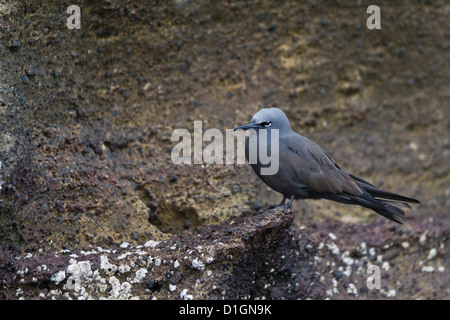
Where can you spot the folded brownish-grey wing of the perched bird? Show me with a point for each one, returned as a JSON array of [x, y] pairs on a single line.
[[314, 168]]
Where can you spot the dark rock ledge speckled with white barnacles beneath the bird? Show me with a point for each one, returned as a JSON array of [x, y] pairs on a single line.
[[253, 256]]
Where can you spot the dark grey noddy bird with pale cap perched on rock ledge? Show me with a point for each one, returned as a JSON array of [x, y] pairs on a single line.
[[306, 171]]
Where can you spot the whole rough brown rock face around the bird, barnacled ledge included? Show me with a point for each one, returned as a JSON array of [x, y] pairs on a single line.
[[87, 181]]
